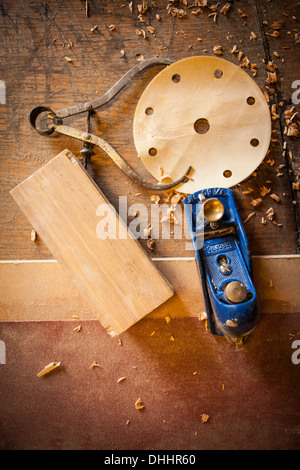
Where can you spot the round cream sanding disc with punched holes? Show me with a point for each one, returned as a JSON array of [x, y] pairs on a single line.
[[205, 112]]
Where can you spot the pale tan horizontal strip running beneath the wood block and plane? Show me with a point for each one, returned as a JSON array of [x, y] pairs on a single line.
[[41, 291]]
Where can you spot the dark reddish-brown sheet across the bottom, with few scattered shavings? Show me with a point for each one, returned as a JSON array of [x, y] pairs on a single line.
[[251, 395]]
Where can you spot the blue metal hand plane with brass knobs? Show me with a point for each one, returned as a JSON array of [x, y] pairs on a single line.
[[224, 263]]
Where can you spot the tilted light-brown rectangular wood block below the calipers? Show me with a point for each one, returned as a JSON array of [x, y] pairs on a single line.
[[118, 280]]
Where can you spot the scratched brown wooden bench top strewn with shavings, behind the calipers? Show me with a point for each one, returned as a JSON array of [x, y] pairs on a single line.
[[35, 38]]
